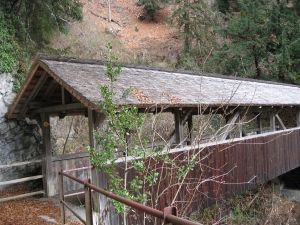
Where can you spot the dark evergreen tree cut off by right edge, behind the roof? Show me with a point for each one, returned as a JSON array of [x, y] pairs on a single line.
[[284, 45]]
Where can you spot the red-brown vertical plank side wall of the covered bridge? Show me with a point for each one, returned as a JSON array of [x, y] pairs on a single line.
[[261, 157]]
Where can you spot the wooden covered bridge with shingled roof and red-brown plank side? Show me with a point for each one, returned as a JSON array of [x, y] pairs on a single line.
[[259, 140]]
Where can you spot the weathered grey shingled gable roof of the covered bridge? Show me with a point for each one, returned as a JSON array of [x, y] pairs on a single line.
[[80, 80]]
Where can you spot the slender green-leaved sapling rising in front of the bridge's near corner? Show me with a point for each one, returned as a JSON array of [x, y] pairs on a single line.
[[112, 138]]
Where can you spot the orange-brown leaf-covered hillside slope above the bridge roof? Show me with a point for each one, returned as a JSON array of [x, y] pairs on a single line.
[[135, 40]]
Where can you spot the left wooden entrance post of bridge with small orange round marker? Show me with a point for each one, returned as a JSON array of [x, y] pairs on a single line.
[[47, 156]]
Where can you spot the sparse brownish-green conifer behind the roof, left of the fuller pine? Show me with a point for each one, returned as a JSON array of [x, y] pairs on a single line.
[[195, 21]]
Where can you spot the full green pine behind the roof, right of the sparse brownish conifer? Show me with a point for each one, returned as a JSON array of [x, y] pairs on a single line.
[[244, 47]]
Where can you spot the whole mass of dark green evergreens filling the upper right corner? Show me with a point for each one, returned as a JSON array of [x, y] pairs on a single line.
[[260, 40]]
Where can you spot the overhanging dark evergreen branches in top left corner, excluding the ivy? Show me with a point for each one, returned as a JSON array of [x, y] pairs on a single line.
[[36, 21]]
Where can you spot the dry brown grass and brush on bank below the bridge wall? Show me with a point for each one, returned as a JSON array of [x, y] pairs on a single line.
[[259, 206]]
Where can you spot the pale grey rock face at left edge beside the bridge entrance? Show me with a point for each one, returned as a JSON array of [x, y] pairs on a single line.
[[19, 140]]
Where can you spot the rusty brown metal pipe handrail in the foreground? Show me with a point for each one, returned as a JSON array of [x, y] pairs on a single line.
[[168, 215]]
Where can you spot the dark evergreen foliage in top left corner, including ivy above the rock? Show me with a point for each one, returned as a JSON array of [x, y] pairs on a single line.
[[32, 23]]
